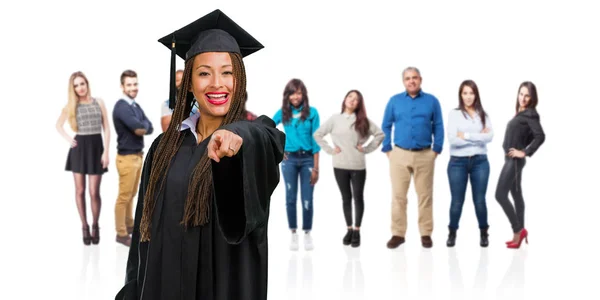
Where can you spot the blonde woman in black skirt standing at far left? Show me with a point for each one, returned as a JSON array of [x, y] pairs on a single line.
[[88, 155]]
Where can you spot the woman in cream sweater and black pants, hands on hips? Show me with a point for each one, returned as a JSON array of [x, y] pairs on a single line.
[[350, 130]]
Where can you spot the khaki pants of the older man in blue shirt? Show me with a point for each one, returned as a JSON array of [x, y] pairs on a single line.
[[404, 164]]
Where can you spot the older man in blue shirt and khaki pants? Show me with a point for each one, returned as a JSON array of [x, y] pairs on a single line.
[[418, 139]]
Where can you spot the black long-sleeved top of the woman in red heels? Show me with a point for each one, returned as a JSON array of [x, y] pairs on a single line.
[[524, 132]]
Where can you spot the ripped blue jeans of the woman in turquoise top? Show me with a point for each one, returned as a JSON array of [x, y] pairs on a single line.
[[298, 164]]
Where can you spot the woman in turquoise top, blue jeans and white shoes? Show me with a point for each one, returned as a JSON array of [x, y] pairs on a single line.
[[300, 121]]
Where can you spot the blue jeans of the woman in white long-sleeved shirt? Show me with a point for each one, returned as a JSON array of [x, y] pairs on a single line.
[[460, 170]]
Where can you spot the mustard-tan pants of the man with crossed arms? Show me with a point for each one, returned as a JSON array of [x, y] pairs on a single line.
[[130, 168]]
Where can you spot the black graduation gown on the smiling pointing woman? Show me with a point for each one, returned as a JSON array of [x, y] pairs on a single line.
[[225, 259]]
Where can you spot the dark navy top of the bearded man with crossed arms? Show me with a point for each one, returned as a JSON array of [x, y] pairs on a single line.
[[126, 119]]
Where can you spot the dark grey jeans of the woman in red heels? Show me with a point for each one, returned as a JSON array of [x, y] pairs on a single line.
[[510, 181]]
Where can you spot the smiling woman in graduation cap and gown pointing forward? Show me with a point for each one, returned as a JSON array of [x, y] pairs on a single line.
[[201, 221]]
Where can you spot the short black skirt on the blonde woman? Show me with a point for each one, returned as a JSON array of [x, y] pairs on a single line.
[[86, 157]]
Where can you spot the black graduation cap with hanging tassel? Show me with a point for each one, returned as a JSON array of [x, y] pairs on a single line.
[[214, 32]]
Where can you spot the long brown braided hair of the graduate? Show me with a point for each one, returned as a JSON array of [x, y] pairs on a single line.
[[197, 204]]
